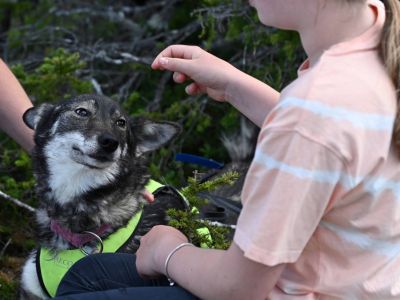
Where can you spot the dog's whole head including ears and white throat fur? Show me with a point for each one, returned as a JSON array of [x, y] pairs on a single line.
[[90, 140]]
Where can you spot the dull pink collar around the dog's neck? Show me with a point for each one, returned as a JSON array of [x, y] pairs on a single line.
[[77, 239]]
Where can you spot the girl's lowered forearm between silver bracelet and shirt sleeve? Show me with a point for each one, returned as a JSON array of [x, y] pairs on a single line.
[[213, 274]]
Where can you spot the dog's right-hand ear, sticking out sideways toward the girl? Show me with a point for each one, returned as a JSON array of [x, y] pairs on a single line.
[[152, 135]]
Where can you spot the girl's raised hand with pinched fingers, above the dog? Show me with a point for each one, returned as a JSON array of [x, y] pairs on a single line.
[[210, 74]]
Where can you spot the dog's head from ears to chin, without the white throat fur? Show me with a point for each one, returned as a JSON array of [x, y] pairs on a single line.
[[95, 130]]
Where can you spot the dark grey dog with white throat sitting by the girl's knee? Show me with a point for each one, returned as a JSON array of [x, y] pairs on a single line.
[[91, 170]]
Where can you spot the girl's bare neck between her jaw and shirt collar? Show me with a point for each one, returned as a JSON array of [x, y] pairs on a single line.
[[335, 23]]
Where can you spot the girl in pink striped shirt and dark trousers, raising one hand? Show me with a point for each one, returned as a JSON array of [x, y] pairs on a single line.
[[321, 210]]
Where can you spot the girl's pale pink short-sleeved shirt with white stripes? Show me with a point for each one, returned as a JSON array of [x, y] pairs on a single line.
[[323, 191]]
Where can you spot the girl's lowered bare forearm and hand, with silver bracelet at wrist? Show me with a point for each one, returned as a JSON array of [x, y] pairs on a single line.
[[207, 273]]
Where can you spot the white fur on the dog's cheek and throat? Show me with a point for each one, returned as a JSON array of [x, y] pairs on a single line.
[[73, 172]]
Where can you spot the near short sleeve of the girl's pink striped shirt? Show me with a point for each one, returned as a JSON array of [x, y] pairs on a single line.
[[290, 185]]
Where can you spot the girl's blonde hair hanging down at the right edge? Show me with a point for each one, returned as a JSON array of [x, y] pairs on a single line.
[[390, 52]]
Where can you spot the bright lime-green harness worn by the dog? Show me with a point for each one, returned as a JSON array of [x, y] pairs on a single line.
[[51, 267]]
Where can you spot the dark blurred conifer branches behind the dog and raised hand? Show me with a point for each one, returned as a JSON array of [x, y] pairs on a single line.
[[59, 48]]
